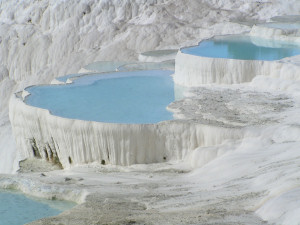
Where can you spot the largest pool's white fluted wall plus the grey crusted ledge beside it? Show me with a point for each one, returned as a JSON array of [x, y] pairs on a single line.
[[208, 118]]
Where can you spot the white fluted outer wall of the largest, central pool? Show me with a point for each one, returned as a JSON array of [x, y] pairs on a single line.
[[72, 142]]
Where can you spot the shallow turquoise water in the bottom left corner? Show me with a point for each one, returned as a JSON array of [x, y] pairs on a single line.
[[17, 209]]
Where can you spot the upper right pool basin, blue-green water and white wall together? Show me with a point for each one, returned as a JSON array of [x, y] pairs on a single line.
[[233, 59]]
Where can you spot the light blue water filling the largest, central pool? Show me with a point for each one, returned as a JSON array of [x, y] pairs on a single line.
[[122, 97]]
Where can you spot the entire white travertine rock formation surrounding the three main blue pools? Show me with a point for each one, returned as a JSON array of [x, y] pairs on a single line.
[[229, 156]]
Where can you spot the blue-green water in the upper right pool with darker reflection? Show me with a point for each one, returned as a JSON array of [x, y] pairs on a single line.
[[245, 48]]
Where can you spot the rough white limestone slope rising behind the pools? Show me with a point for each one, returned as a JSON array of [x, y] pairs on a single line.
[[41, 40]]
